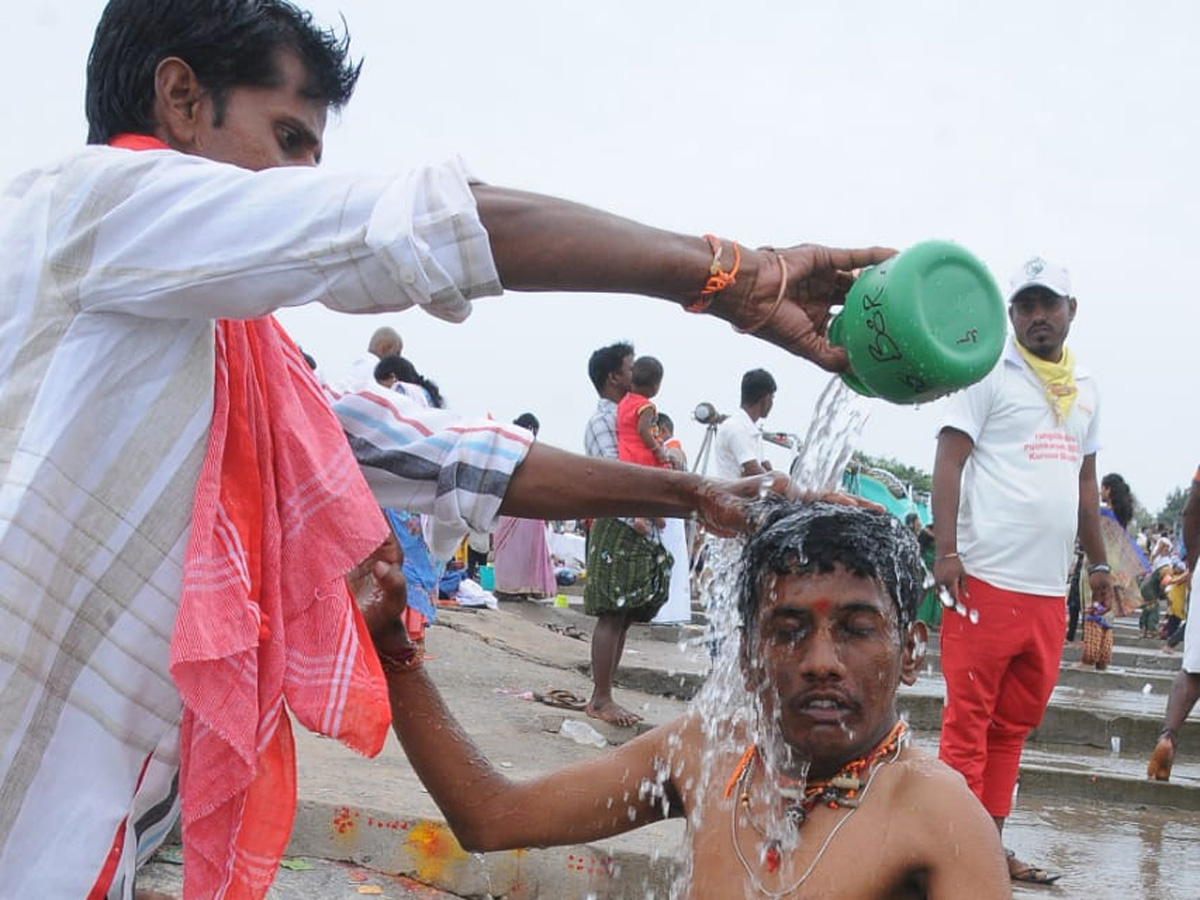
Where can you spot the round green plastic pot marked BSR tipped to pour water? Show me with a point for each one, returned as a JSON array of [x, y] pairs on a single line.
[[921, 326]]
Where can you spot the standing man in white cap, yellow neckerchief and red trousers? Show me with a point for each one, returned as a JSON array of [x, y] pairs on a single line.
[[1015, 481]]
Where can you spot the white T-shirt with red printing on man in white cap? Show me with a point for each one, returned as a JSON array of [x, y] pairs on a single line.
[[1019, 506]]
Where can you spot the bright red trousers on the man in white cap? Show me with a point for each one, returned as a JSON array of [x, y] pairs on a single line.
[[999, 673]]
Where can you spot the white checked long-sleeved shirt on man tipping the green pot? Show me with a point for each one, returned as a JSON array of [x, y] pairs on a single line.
[[113, 267]]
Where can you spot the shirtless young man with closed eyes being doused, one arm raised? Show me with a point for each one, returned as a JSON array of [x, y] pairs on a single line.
[[817, 793]]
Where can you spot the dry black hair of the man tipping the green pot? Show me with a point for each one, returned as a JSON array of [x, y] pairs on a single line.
[[229, 44]]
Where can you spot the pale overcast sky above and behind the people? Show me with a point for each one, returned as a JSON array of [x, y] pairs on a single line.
[[1066, 130]]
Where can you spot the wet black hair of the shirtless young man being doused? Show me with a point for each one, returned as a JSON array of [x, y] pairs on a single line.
[[794, 538]]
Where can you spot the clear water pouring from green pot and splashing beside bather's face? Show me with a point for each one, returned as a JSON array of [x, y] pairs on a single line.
[[724, 705]]
